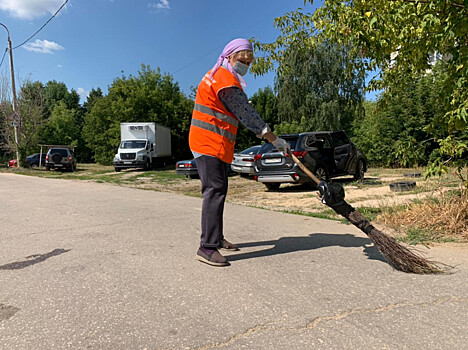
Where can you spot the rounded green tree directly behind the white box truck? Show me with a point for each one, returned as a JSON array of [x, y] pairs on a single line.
[[147, 97]]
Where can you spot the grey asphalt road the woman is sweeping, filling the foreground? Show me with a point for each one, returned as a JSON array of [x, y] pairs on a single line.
[[94, 266]]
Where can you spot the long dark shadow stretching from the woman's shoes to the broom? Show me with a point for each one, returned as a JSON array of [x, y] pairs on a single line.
[[313, 241]]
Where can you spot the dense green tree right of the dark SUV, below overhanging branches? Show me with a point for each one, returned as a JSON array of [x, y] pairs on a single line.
[[394, 130]]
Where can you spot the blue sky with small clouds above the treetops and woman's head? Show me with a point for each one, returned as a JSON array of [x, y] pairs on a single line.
[[91, 42]]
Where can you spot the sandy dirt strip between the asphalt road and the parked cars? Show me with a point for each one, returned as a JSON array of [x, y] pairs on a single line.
[[374, 192]]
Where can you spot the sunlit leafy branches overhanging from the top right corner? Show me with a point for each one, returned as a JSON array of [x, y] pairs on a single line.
[[394, 38]]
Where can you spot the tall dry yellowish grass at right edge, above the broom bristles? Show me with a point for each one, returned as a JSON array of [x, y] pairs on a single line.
[[445, 215]]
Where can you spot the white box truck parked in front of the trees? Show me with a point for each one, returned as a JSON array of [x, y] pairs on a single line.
[[143, 145]]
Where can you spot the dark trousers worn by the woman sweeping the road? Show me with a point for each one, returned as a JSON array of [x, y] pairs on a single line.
[[214, 178]]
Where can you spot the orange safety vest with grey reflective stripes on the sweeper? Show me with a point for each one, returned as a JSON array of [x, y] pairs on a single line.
[[213, 129]]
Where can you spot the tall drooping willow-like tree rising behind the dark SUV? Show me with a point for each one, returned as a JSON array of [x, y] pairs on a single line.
[[314, 89]]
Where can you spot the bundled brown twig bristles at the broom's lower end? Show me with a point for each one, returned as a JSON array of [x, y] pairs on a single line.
[[398, 256]]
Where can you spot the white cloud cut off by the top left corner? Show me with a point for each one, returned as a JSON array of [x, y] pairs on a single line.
[[29, 9]]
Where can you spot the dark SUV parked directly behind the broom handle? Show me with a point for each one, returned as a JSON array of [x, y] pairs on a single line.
[[326, 154]]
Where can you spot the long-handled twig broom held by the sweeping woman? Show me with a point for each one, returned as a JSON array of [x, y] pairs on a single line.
[[398, 256]]
